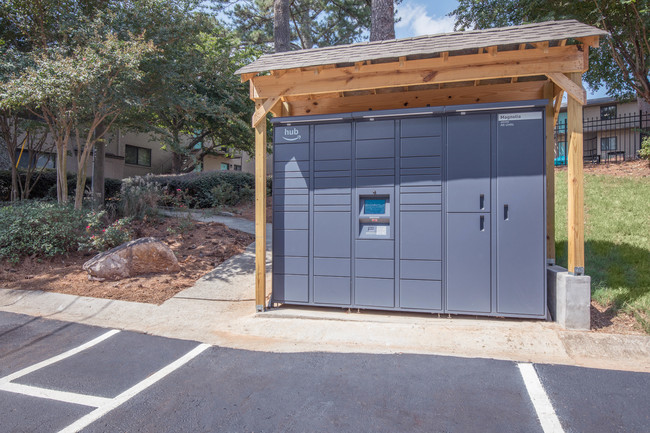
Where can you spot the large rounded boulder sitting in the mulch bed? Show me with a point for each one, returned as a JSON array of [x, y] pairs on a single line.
[[141, 256]]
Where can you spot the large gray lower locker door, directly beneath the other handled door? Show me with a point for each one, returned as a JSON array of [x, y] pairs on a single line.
[[468, 262]]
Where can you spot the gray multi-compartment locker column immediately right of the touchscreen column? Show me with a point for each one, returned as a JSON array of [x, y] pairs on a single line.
[[420, 216]]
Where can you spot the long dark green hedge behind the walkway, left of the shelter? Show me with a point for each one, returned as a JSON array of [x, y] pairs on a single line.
[[204, 189]]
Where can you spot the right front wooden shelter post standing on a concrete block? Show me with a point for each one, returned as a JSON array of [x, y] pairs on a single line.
[[575, 204]]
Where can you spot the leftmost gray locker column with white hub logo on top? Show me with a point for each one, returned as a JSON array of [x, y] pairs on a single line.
[[291, 177]]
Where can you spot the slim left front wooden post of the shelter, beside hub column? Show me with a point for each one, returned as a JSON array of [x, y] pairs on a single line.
[[260, 215]]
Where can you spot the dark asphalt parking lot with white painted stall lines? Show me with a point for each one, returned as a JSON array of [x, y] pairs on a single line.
[[58, 376]]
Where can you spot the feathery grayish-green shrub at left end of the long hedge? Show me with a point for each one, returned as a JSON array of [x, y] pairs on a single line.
[[139, 197]]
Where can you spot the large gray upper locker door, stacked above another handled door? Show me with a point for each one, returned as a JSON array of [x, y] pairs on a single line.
[[468, 163]]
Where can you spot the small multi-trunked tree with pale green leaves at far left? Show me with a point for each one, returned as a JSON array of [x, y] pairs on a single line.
[[74, 86]]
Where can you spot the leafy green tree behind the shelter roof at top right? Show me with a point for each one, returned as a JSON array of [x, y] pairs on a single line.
[[622, 63]]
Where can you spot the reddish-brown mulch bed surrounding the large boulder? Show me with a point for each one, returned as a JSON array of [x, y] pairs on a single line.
[[199, 247]]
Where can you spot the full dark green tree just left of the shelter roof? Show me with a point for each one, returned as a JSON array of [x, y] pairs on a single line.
[[194, 102]]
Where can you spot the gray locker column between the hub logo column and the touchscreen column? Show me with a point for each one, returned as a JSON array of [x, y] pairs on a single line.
[[332, 213]]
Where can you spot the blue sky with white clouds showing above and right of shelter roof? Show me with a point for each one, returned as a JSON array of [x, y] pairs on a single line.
[[426, 17]]
